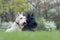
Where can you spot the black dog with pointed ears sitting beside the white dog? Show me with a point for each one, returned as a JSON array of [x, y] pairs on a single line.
[[31, 23]]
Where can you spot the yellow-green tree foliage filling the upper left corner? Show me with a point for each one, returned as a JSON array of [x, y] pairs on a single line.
[[18, 5]]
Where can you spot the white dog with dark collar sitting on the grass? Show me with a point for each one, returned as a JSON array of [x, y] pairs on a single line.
[[18, 23]]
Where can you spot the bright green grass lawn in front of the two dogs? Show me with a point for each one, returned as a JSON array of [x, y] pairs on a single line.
[[25, 35]]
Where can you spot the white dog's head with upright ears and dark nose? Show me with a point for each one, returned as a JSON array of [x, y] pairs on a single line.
[[21, 18]]
